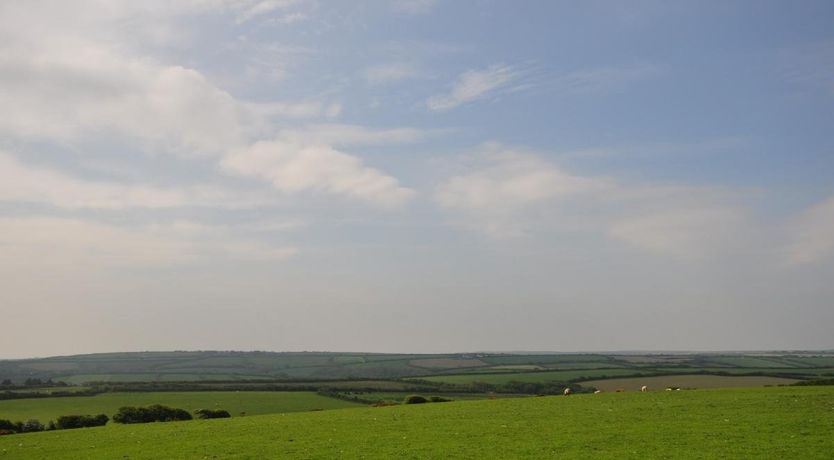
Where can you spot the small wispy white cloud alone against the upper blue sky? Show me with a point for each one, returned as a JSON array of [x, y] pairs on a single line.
[[473, 85]]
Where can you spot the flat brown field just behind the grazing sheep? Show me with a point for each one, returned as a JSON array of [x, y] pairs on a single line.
[[686, 381]]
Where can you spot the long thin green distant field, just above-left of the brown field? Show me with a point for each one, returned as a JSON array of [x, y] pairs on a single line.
[[537, 377]]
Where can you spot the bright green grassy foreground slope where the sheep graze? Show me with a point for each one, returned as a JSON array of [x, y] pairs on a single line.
[[760, 423]]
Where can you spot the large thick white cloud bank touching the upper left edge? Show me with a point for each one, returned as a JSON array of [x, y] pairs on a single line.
[[71, 91]]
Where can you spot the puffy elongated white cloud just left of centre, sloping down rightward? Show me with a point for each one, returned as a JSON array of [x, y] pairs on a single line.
[[293, 168]]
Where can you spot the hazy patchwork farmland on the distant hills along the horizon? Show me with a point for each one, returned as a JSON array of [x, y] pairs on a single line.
[[212, 366]]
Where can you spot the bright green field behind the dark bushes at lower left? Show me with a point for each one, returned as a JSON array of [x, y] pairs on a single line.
[[250, 402]]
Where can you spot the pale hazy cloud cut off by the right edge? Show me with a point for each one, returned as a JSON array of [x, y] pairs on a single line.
[[813, 234]]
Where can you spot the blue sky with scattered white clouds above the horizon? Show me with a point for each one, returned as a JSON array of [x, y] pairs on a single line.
[[416, 175]]
